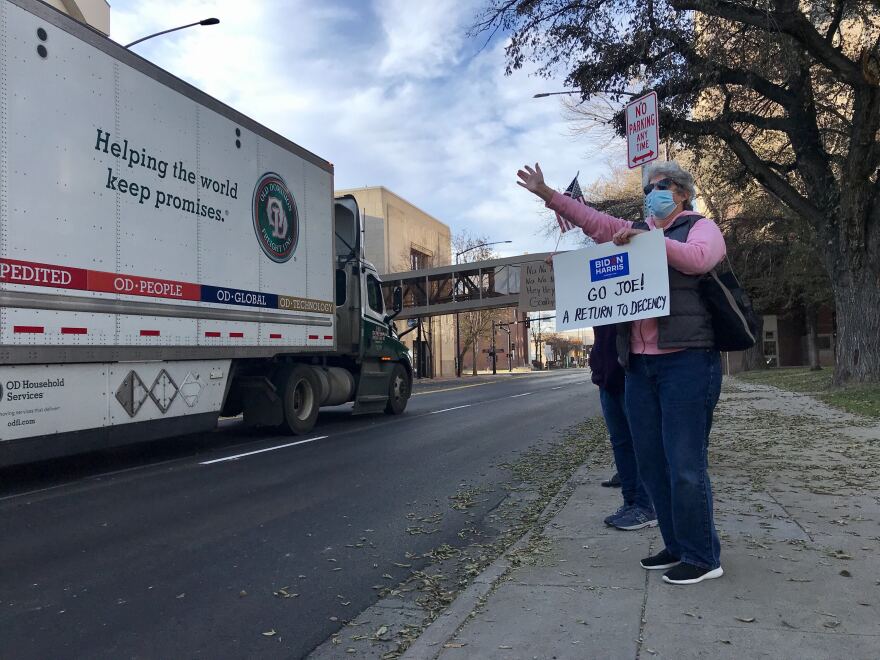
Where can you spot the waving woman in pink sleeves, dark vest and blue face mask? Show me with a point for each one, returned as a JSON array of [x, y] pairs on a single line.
[[673, 371]]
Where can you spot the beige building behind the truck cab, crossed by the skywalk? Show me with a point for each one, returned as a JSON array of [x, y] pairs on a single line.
[[399, 236]]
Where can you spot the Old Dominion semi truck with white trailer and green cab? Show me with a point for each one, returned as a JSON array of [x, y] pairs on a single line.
[[166, 260]]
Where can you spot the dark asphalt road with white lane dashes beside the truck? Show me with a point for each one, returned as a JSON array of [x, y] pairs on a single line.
[[175, 549]]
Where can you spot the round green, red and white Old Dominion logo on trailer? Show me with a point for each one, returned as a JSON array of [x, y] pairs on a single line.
[[276, 221]]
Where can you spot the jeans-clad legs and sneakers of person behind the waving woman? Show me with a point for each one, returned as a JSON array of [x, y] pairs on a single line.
[[637, 511]]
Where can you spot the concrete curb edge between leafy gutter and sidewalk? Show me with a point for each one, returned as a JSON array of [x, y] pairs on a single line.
[[429, 645]]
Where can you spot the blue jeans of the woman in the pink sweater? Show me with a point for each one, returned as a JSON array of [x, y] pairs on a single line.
[[670, 399]]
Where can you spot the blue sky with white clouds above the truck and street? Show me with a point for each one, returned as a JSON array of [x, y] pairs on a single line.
[[393, 93]]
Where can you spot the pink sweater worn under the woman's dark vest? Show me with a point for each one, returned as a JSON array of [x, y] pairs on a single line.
[[703, 251]]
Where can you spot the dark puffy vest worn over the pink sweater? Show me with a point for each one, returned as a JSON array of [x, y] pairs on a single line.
[[689, 324]]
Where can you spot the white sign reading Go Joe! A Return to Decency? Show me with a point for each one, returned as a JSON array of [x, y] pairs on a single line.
[[612, 283]]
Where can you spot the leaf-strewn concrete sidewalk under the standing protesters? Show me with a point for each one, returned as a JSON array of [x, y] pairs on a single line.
[[797, 499]]
